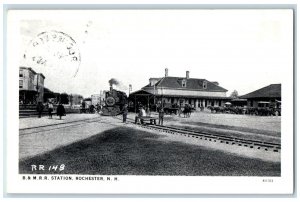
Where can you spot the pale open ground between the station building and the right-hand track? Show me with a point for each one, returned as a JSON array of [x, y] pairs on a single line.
[[242, 126]]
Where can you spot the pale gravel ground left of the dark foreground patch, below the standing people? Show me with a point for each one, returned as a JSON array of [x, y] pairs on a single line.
[[32, 142]]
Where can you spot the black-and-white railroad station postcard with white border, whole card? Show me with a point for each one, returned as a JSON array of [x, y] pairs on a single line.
[[150, 101]]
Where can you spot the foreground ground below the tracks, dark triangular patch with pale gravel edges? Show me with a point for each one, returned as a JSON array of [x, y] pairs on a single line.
[[104, 145]]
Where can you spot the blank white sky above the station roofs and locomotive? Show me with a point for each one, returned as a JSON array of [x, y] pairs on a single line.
[[243, 50]]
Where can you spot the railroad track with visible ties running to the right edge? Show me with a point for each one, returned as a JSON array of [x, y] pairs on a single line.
[[224, 139]]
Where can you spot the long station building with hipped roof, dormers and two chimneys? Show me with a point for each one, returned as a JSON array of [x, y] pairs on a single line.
[[178, 91]]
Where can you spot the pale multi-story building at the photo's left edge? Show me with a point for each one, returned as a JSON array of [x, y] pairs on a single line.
[[31, 86]]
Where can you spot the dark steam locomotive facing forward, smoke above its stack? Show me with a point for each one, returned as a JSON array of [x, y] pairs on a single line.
[[114, 102]]
